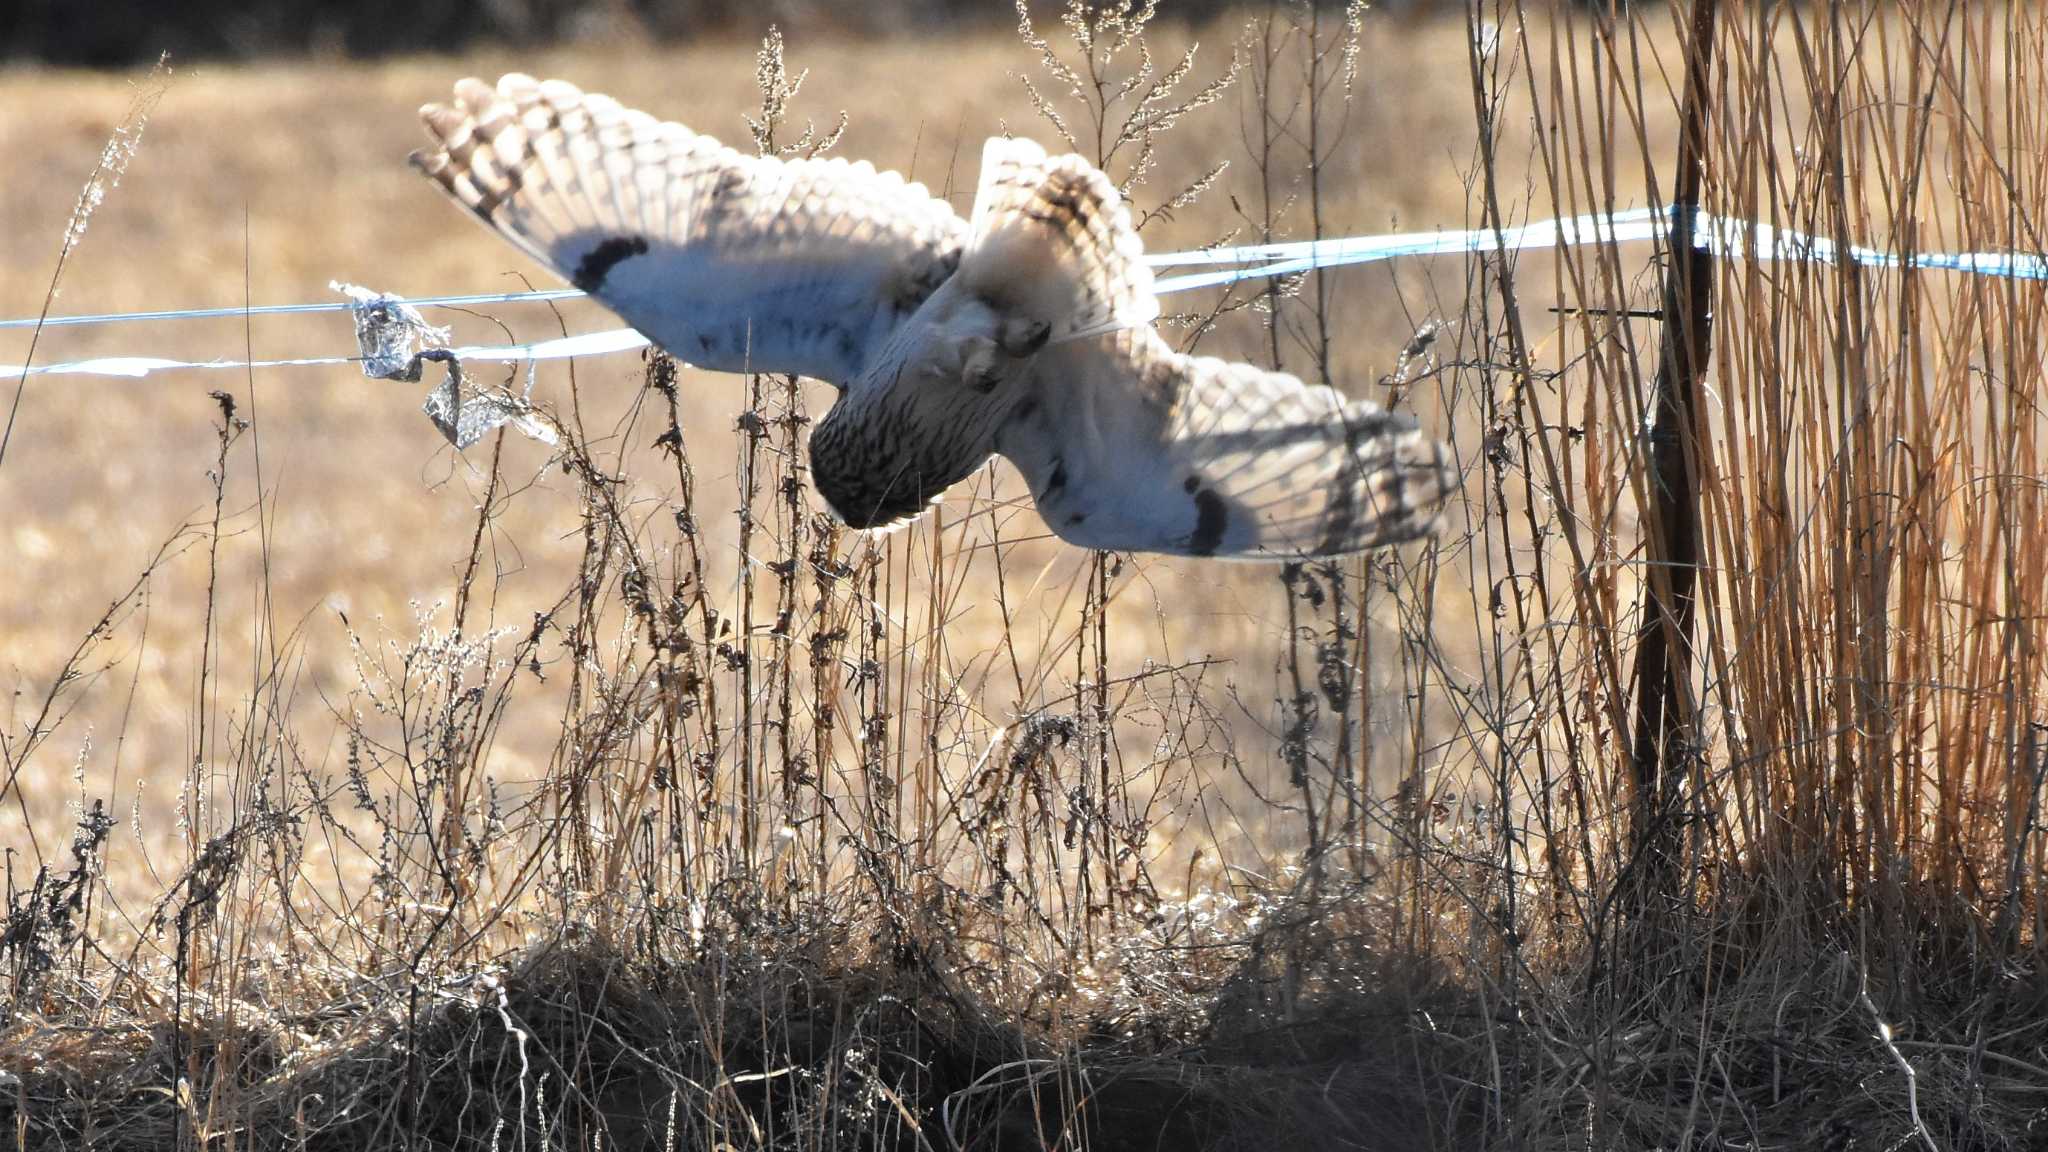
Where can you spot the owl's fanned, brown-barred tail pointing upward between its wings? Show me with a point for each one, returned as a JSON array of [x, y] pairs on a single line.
[[1054, 243]]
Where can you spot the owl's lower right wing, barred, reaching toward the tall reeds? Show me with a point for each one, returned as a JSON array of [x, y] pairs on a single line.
[[1134, 446]]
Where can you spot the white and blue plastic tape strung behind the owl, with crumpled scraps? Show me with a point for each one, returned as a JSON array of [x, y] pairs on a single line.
[[396, 341]]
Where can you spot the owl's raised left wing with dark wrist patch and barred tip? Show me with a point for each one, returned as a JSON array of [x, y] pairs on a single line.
[[730, 261]]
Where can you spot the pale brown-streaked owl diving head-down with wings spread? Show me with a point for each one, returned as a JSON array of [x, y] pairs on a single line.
[[1023, 331]]
